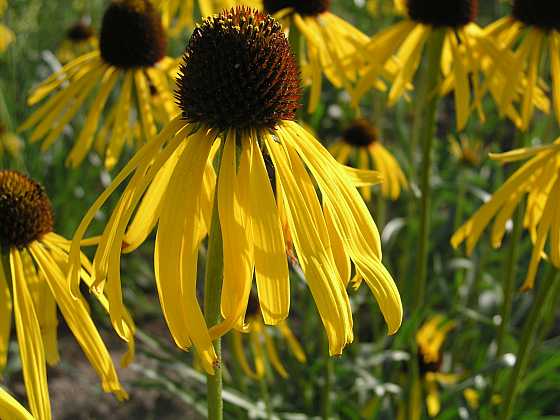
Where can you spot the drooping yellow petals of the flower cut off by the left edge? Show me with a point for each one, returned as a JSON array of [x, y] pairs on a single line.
[[38, 287]]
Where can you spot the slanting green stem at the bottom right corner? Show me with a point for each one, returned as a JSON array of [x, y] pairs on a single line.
[[527, 339]]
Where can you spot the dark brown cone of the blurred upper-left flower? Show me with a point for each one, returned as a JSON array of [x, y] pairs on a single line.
[[132, 34]]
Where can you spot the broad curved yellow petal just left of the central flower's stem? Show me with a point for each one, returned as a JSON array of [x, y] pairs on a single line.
[[177, 246]]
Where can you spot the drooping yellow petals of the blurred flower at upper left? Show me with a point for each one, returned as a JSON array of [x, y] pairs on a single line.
[[145, 92]]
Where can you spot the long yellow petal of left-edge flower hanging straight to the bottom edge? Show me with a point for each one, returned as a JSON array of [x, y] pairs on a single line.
[[30, 343]]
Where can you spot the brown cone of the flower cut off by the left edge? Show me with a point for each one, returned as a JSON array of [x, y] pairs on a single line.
[[25, 210]]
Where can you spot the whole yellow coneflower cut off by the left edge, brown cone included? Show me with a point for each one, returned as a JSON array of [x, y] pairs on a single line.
[[33, 285]]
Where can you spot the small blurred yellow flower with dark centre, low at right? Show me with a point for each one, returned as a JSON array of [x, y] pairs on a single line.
[[430, 338]]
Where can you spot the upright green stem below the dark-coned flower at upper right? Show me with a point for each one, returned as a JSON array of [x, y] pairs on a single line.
[[425, 123]]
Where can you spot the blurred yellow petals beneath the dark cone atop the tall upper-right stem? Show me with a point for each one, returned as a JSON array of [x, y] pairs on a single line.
[[395, 54]]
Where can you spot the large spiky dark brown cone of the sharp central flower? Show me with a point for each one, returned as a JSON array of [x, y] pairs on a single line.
[[238, 72]]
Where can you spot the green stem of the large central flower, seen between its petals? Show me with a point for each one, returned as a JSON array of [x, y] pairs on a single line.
[[212, 293]]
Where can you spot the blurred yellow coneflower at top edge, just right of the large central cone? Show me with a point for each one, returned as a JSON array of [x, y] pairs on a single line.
[[329, 41]]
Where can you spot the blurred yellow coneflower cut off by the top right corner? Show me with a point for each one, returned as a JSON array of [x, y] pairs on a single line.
[[531, 30]]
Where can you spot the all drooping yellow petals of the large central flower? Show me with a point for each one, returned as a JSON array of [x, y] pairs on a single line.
[[171, 187]]
